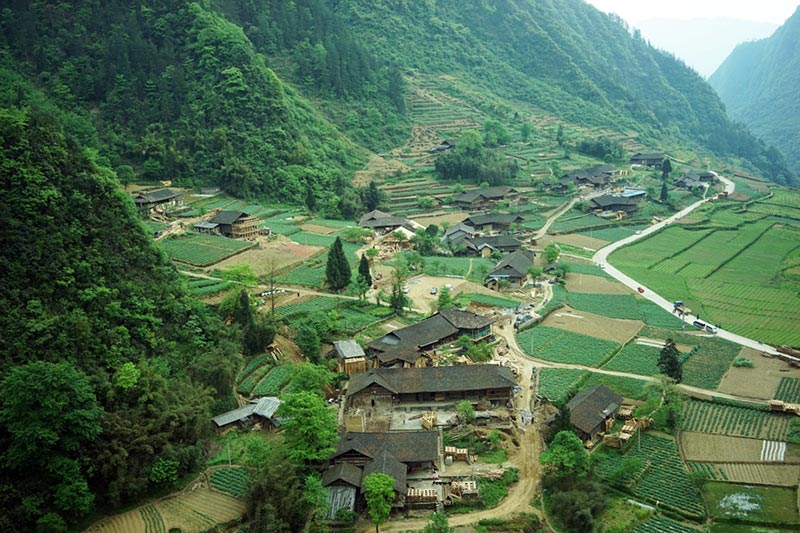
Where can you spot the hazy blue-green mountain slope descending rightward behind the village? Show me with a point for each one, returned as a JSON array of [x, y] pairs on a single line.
[[565, 57]]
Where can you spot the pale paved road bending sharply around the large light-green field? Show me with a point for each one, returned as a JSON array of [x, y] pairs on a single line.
[[601, 256]]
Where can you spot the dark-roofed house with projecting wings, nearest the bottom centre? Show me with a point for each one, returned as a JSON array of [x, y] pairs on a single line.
[[395, 454]]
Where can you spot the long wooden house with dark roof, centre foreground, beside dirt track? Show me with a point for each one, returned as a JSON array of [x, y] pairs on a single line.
[[388, 387]]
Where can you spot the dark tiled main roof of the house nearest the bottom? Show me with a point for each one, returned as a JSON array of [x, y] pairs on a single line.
[[406, 447]]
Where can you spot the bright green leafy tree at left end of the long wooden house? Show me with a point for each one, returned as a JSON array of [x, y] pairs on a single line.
[[309, 427]]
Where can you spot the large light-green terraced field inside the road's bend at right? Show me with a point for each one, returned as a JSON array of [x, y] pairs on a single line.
[[733, 268]]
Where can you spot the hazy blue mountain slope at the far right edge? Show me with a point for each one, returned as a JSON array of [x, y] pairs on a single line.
[[758, 83]]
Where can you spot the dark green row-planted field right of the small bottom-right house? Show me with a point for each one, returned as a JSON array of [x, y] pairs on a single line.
[[663, 477]]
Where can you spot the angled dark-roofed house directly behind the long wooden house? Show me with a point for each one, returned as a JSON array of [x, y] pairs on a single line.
[[411, 346]]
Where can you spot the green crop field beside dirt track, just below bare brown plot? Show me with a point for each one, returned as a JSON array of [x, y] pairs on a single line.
[[561, 346]]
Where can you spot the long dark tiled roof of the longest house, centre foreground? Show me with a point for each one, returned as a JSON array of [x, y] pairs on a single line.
[[434, 379]]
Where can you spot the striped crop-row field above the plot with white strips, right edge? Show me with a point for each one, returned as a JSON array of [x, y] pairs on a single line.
[[734, 421]]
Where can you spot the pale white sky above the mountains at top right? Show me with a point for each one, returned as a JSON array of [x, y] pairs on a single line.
[[775, 11]]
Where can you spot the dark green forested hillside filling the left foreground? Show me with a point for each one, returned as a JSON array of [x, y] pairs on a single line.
[[109, 368]]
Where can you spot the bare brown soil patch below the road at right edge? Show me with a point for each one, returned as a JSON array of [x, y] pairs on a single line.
[[759, 382]]
